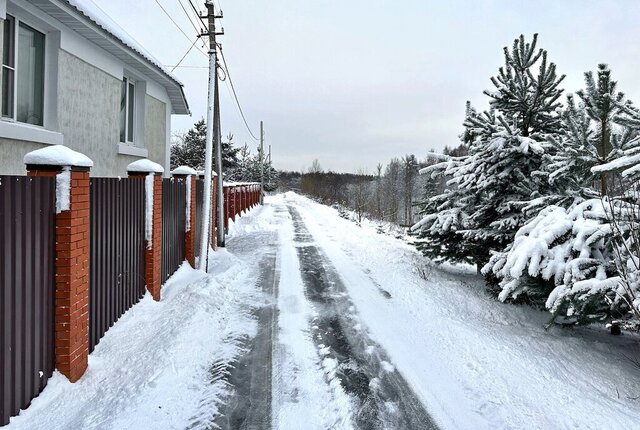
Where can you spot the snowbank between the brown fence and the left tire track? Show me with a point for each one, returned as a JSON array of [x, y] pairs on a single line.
[[153, 369]]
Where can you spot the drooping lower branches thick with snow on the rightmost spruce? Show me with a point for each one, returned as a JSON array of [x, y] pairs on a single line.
[[575, 251]]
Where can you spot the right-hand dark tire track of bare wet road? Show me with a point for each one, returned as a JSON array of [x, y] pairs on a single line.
[[383, 398]]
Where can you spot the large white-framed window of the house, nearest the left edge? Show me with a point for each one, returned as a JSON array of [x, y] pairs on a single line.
[[23, 73]]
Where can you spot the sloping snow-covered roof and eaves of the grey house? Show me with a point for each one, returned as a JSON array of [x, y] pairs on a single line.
[[88, 20]]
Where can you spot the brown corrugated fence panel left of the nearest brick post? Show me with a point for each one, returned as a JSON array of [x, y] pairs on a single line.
[[27, 288]]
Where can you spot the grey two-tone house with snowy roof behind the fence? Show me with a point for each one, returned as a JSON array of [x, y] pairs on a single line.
[[72, 76]]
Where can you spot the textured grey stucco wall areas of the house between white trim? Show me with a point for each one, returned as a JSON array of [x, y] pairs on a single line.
[[88, 117]]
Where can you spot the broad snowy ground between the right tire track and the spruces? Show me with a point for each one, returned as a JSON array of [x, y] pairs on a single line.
[[476, 363]]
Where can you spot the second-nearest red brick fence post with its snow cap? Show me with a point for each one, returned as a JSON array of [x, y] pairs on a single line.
[[152, 174]]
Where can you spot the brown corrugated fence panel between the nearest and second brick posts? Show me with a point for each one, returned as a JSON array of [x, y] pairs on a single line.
[[117, 251]]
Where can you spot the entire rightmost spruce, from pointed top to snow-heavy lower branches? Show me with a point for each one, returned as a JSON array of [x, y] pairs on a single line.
[[571, 244]]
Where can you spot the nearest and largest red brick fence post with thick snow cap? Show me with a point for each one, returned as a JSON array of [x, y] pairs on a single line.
[[71, 170]]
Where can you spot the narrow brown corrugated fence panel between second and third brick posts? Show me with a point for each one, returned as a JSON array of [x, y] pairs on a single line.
[[174, 197]]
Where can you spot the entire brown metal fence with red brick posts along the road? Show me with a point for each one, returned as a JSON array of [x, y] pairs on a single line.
[[41, 250]]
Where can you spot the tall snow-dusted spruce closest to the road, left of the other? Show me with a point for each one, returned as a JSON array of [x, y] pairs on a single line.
[[501, 183]]
